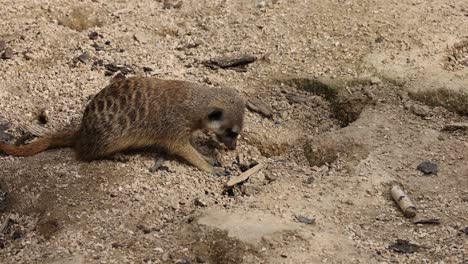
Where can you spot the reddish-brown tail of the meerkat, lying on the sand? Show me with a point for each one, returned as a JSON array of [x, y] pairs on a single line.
[[58, 140]]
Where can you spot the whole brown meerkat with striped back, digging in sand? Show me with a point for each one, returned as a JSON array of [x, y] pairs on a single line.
[[141, 111]]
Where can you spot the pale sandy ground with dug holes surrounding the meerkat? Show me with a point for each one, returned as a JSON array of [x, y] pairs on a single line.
[[360, 92]]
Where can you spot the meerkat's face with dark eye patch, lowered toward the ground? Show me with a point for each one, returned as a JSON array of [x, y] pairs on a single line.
[[226, 124]]
